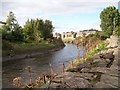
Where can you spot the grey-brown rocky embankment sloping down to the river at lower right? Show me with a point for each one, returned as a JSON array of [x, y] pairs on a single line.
[[100, 71]]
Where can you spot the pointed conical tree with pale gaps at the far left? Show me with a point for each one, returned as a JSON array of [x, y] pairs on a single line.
[[12, 31]]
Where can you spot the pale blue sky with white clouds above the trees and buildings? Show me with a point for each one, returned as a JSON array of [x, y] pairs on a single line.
[[66, 15]]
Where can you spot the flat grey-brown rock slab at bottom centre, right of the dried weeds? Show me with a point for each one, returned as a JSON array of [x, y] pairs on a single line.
[[75, 81]]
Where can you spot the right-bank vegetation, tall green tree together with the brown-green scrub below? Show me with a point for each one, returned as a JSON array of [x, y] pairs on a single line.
[[94, 43]]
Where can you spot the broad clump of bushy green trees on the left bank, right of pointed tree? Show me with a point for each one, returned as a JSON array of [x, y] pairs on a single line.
[[37, 29]]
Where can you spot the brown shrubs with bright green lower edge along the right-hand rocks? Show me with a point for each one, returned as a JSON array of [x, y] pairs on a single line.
[[92, 44]]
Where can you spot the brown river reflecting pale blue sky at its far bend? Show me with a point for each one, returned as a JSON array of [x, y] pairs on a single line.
[[39, 65]]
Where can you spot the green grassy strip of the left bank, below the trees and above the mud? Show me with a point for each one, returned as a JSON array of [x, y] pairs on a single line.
[[15, 48]]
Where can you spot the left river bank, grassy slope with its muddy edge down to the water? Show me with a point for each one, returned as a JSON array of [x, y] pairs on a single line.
[[30, 50]]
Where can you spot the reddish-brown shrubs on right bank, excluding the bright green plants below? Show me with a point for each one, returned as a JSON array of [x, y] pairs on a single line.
[[88, 43]]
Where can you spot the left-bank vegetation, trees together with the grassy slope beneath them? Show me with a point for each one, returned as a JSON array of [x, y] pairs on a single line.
[[36, 35]]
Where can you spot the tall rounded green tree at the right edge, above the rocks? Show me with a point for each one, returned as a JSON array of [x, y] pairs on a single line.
[[109, 20]]
